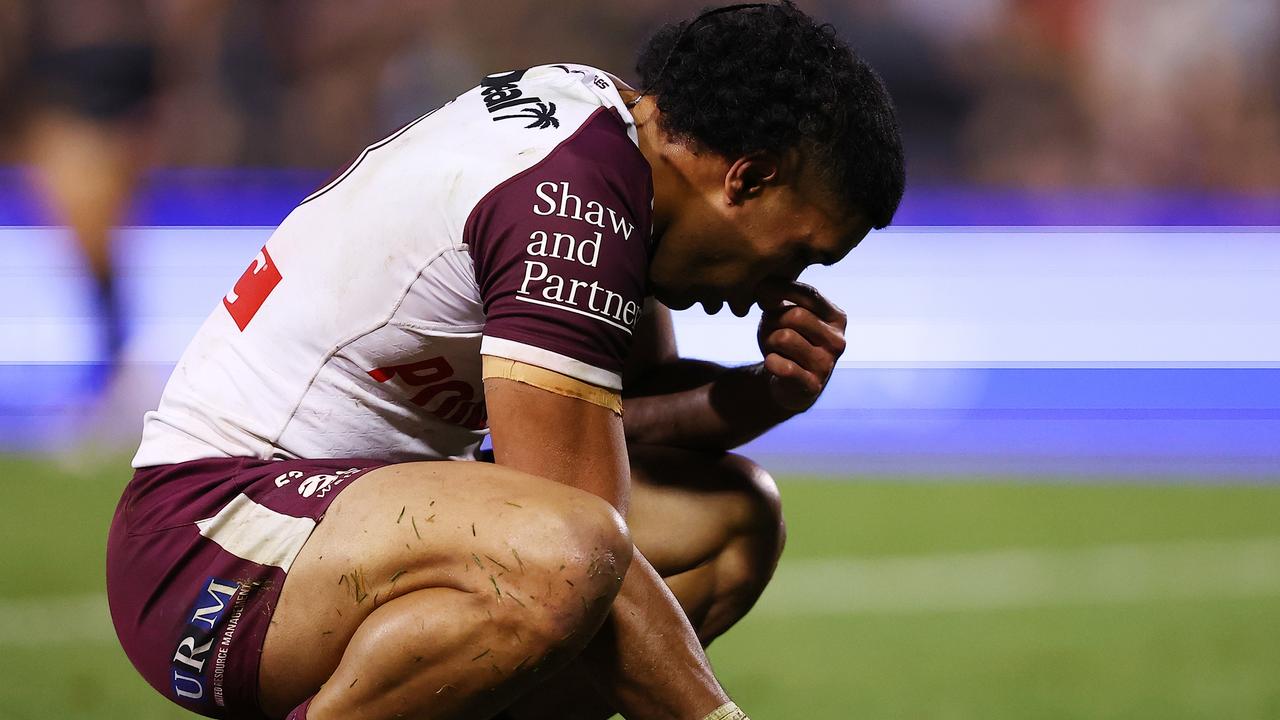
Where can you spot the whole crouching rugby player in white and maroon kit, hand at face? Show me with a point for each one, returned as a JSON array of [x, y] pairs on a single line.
[[308, 534]]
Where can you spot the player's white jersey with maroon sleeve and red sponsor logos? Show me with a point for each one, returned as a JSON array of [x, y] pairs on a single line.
[[515, 222]]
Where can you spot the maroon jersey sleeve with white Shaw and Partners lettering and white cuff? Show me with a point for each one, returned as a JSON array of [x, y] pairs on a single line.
[[561, 254]]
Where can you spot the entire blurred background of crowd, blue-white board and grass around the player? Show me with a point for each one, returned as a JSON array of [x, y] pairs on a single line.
[[1043, 482]]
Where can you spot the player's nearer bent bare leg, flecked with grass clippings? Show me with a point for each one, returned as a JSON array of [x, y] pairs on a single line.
[[441, 590]]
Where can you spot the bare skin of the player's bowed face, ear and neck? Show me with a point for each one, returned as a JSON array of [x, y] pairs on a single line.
[[730, 230]]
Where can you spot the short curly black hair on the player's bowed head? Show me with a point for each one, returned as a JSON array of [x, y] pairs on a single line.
[[753, 79]]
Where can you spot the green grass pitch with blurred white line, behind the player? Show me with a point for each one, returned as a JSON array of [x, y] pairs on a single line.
[[949, 601]]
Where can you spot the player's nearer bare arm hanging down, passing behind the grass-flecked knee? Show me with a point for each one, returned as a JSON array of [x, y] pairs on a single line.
[[648, 659]]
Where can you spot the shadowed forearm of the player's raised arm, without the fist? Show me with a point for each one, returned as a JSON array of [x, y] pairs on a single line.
[[701, 405]]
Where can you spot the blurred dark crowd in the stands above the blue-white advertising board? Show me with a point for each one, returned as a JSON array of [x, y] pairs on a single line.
[[1013, 93]]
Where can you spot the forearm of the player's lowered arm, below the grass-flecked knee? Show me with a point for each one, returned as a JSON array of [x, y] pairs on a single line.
[[647, 658]]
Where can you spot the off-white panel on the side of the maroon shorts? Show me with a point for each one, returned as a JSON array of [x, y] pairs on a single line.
[[258, 534]]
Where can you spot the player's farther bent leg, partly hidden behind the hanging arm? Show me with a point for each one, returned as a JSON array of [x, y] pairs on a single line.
[[712, 527]]
